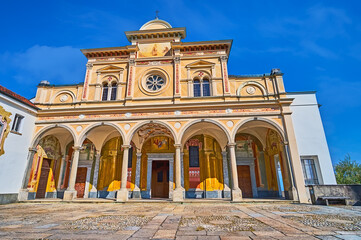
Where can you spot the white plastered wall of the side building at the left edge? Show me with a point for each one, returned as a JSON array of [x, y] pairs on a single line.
[[13, 161]]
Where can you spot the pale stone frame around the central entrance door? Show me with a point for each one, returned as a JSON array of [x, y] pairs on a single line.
[[160, 157]]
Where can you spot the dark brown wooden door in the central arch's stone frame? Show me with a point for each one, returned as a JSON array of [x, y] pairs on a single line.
[[160, 179]]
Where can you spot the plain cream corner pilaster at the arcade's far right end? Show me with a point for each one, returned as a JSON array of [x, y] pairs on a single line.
[[295, 160]]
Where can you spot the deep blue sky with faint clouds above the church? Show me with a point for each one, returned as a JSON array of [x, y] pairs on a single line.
[[317, 44]]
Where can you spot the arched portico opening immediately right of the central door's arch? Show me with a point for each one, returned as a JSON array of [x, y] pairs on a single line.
[[204, 161]]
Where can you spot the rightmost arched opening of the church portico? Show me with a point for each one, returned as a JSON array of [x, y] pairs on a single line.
[[262, 164]]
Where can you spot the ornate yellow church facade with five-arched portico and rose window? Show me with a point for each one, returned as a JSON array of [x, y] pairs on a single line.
[[162, 118]]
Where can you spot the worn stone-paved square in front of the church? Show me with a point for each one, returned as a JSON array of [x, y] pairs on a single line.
[[186, 221]]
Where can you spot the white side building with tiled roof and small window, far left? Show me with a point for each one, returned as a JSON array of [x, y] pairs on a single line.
[[17, 124]]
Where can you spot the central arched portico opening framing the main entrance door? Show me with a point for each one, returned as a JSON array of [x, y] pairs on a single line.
[[154, 156]]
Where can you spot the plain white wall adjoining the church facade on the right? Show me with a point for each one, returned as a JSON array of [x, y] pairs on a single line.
[[310, 135]]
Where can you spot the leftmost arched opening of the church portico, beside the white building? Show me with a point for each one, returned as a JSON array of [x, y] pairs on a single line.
[[45, 174]]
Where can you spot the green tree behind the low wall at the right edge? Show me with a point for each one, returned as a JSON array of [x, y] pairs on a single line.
[[348, 171]]
